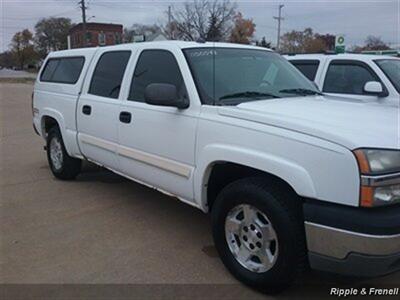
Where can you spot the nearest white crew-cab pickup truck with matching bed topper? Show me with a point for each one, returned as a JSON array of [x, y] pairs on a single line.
[[291, 177]]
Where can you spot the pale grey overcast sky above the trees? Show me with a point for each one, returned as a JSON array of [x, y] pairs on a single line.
[[355, 19]]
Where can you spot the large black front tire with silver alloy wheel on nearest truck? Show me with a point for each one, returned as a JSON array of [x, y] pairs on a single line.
[[259, 233]]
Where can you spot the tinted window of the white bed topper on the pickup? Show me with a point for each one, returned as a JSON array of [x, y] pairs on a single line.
[[63, 70]]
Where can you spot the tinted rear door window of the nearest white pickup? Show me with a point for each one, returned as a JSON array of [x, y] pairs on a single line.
[[108, 74]]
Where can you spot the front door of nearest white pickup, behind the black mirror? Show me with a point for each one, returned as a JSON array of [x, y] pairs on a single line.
[[157, 145]]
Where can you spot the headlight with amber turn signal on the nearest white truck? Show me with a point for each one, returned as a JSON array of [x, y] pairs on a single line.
[[380, 176]]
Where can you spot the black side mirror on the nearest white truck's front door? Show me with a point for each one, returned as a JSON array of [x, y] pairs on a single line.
[[164, 94]]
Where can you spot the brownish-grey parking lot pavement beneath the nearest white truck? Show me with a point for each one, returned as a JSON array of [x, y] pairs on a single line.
[[102, 228]]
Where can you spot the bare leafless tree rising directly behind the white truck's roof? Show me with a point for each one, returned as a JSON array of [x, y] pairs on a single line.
[[211, 20]]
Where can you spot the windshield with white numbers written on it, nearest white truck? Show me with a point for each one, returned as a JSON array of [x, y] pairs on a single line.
[[230, 76]]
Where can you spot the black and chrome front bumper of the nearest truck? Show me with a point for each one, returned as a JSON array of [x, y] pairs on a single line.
[[353, 241]]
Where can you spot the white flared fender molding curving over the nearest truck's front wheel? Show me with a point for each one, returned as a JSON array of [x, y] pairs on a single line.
[[297, 177]]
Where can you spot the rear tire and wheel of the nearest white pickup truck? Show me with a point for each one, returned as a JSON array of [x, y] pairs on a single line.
[[61, 164]]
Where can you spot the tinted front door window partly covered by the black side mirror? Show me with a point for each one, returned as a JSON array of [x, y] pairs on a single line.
[[155, 66]]
